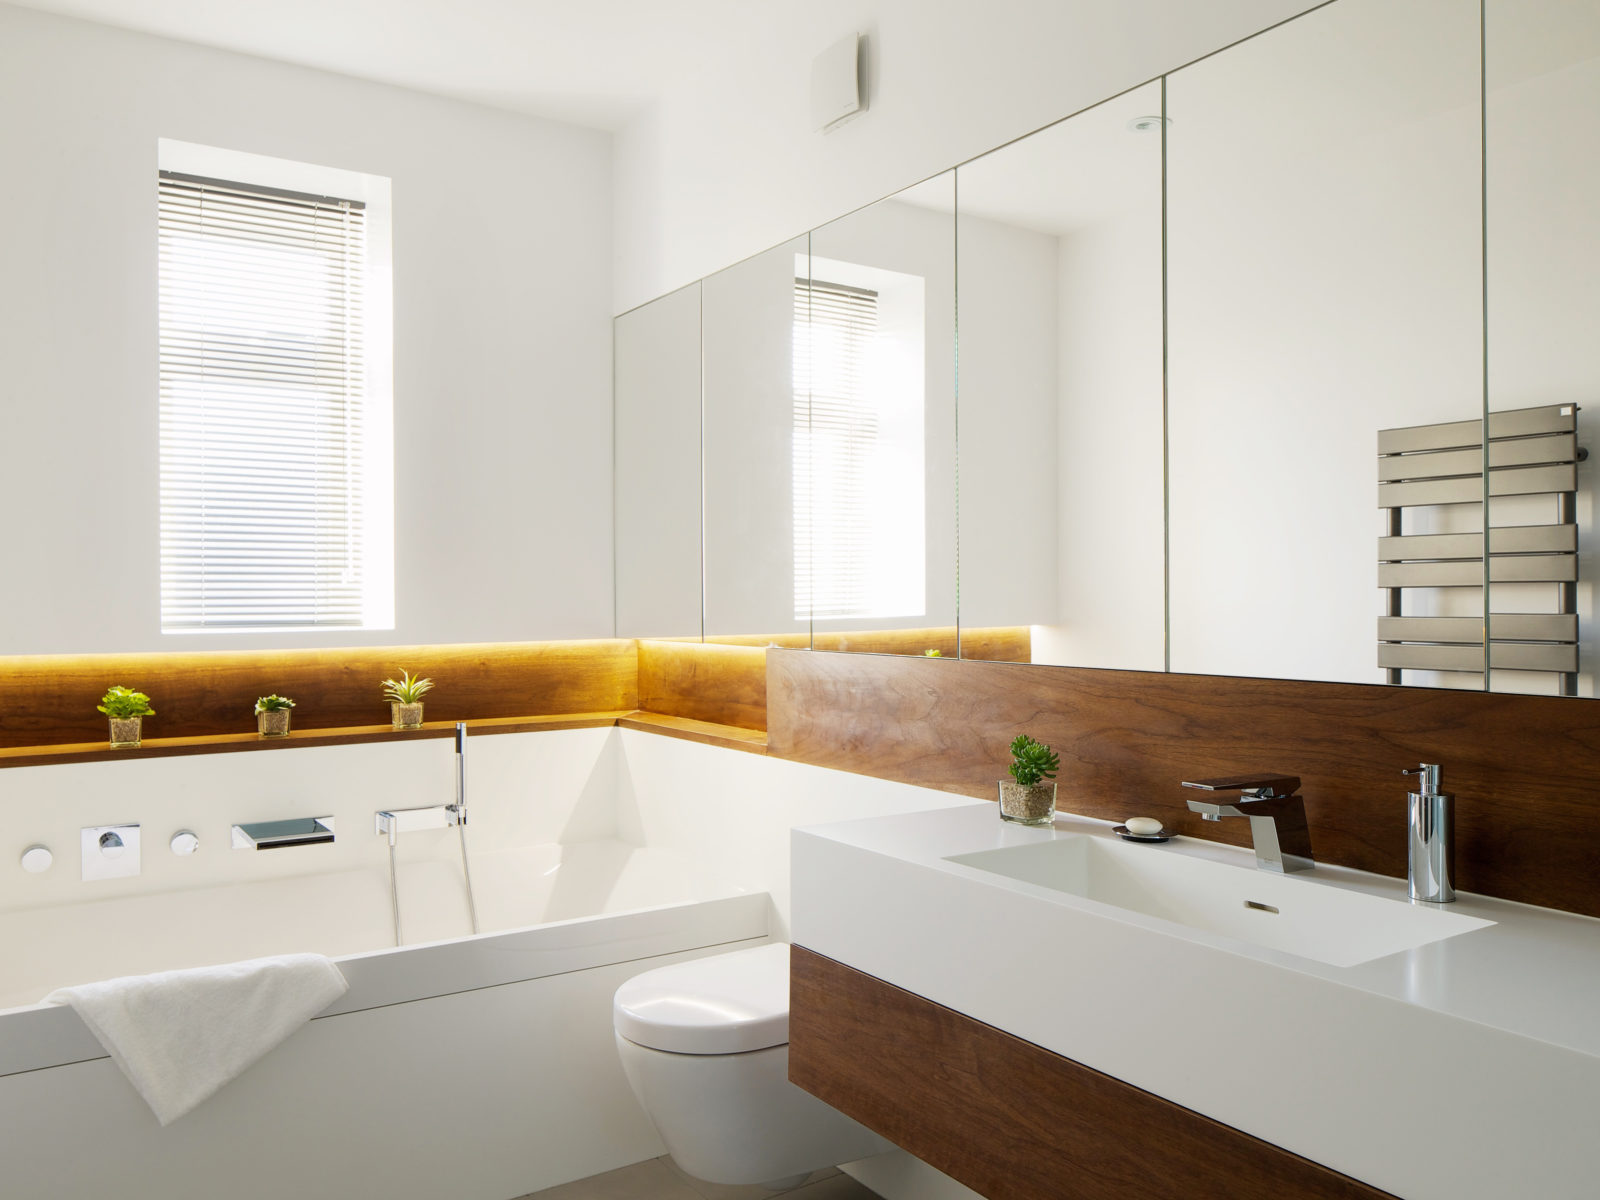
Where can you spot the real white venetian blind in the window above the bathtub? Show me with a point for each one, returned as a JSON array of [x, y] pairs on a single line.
[[262, 407]]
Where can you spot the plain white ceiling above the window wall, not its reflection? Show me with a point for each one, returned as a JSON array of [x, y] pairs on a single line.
[[586, 62]]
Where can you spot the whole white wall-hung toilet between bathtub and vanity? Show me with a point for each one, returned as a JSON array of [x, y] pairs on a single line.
[[706, 1049]]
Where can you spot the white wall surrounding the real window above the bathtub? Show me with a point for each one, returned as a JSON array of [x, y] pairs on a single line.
[[503, 377]]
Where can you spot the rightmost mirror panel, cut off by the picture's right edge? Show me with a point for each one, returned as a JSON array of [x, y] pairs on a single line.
[[1543, 174]]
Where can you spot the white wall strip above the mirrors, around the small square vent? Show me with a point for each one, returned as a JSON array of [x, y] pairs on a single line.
[[727, 164]]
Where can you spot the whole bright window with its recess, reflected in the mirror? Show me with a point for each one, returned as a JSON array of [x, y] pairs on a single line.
[[858, 442]]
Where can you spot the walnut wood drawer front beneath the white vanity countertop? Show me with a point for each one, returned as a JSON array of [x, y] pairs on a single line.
[[1010, 1119]]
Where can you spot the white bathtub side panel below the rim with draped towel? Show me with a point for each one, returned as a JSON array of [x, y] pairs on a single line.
[[478, 1097]]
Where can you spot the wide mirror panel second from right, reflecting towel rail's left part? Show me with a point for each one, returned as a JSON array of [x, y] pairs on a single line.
[[1324, 286]]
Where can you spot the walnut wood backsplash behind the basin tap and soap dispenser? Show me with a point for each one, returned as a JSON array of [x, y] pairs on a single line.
[[1526, 769]]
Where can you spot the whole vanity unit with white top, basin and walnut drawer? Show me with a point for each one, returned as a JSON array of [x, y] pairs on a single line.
[[1055, 1012]]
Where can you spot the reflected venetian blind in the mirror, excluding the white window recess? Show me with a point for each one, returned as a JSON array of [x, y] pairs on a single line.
[[836, 431]]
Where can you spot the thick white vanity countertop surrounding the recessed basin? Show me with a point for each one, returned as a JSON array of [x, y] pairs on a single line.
[[1463, 1068]]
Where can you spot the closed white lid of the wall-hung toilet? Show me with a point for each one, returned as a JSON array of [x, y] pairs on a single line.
[[726, 1004]]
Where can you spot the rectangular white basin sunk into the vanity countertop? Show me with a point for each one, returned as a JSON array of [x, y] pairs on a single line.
[[1279, 913]]
